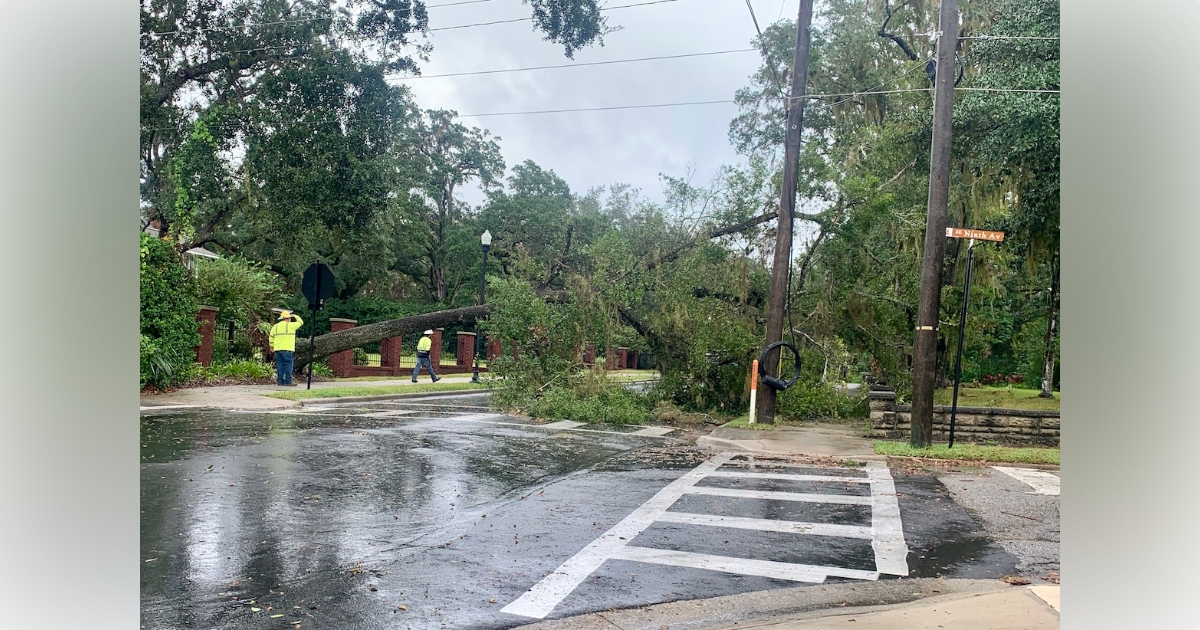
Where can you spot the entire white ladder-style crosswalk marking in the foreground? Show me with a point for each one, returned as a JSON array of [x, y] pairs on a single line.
[[886, 533]]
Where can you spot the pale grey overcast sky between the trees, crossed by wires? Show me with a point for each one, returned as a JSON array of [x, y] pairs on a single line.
[[602, 148]]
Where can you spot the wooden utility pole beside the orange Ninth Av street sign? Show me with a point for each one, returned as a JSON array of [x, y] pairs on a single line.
[[929, 304]]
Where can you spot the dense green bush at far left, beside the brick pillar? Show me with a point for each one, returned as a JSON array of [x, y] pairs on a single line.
[[169, 308]]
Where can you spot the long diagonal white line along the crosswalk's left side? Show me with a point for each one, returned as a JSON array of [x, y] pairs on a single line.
[[542, 599]]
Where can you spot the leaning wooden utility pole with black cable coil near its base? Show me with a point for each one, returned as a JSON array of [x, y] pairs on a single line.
[[783, 261]]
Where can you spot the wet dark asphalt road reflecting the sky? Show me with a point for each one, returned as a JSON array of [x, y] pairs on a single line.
[[437, 514]]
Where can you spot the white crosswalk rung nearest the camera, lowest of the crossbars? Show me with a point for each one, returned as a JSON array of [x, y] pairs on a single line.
[[779, 571]]
